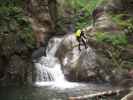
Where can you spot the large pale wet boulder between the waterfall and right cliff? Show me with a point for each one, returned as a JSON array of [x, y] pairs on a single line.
[[77, 65]]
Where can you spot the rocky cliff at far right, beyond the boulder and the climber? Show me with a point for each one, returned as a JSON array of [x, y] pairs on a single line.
[[108, 56]]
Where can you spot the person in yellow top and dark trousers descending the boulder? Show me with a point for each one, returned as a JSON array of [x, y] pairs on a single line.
[[81, 38]]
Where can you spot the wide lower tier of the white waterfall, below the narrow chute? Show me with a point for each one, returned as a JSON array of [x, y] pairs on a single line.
[[48, 69]]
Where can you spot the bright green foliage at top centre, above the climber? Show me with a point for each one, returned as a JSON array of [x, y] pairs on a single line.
[[84, 9]]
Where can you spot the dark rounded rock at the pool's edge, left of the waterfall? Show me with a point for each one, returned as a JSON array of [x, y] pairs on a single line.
[[18, 71]]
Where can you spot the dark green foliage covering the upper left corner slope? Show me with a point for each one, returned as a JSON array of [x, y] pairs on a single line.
[[13, 20]]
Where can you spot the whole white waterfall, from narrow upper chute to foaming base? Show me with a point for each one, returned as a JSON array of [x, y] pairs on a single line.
[[48, 69]]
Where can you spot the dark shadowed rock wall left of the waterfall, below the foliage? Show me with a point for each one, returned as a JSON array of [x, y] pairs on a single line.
[[15, 65]]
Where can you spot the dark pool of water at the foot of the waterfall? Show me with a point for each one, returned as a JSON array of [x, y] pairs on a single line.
[[50, 93]]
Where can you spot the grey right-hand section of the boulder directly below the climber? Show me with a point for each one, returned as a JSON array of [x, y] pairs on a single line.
[[86, 65]]
